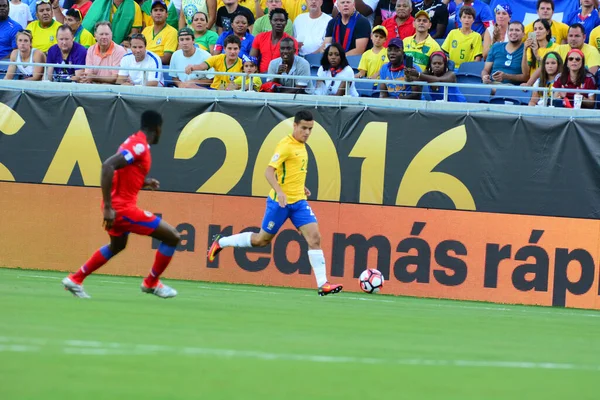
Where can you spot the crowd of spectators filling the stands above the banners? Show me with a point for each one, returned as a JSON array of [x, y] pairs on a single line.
[[430, 41]]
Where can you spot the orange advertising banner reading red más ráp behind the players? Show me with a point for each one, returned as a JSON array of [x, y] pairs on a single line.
[[462, 255]]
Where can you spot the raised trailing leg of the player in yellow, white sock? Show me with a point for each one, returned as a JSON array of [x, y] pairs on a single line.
[[274, 217]]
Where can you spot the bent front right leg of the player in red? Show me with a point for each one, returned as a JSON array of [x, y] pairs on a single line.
[[169, 239]]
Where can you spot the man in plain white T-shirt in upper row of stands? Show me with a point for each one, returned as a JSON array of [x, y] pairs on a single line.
[[310, 27]]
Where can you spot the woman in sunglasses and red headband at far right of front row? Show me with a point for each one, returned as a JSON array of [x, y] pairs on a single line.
[[574, 75]]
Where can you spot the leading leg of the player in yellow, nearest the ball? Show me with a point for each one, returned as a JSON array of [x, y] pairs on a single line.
[[304, 219]]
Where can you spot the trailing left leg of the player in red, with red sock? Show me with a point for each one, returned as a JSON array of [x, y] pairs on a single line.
[[74, 282]]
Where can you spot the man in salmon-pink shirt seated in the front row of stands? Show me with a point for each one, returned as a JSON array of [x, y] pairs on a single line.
[[105, 53]]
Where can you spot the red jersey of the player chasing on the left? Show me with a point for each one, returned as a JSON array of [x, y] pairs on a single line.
[[128, 181]]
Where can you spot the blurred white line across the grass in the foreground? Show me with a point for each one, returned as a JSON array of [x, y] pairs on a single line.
[[98, 348]]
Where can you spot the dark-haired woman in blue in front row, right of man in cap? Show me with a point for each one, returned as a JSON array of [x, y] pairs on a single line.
[[437, 71]]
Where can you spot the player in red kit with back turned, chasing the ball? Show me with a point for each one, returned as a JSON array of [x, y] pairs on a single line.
[[123, 176]]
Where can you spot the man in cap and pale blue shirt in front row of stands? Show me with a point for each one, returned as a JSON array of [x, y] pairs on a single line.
[[188, 54]]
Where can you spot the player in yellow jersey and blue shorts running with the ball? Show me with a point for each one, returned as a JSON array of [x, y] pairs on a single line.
[[286, 173]]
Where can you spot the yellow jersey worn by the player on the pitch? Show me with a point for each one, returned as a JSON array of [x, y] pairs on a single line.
[[290, 162]]
